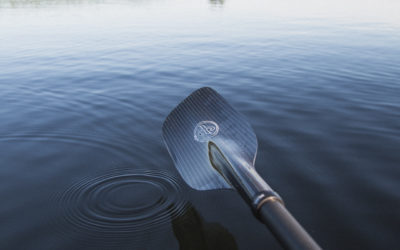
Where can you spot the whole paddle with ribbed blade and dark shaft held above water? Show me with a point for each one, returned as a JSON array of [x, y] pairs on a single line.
[[214, 147]]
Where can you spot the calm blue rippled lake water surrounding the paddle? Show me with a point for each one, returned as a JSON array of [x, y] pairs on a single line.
[[86, 85]]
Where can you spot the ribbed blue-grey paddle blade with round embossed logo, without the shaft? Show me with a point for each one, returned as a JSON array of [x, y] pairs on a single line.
[[202, 117]]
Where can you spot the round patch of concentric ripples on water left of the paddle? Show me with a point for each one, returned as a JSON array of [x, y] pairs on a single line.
[[121, 204]]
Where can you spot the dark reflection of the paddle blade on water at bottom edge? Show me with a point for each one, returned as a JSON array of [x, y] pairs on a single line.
[[193, 233]]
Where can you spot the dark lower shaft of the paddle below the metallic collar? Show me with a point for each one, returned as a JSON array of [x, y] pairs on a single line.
[[285, 227]]
